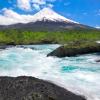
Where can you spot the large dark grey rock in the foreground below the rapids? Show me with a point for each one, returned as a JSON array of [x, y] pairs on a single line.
[[29, 88]]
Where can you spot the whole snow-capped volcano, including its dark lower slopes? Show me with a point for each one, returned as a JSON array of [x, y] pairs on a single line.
[[45, 19]]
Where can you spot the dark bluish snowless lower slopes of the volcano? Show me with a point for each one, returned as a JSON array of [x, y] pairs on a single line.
[[45, 26]]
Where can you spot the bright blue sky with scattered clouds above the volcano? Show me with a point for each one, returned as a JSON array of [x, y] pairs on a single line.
[[83, 11]]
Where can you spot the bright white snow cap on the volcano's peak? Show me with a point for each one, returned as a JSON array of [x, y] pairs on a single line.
[[50, 15]]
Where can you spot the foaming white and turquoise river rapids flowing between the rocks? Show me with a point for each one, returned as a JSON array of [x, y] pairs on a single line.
[[78, 74]]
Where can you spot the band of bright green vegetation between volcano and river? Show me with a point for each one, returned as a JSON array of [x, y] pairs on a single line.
[[13, 36]]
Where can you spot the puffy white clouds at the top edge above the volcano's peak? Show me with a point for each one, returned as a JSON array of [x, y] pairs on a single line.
[[28, 5]]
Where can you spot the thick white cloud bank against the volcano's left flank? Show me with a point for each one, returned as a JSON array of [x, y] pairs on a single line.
[[11, 17]]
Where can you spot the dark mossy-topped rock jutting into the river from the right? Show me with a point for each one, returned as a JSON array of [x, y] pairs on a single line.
[[76, 48]]
